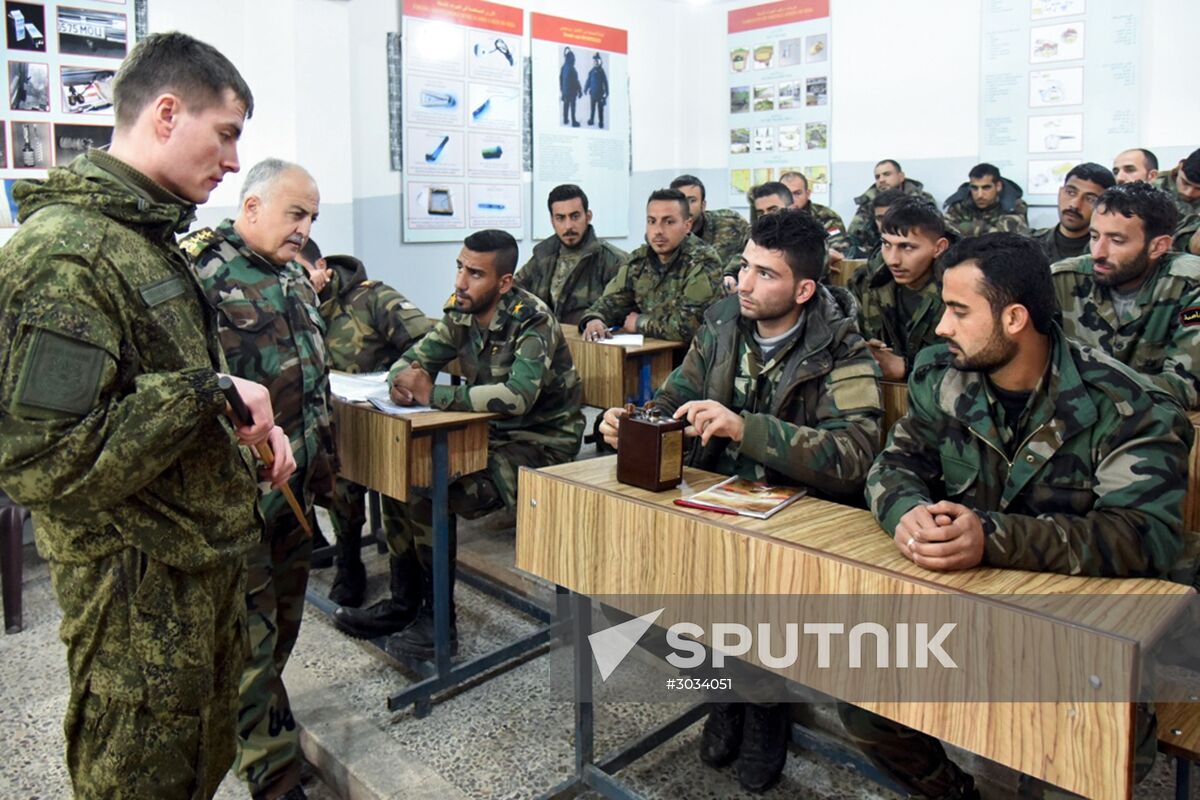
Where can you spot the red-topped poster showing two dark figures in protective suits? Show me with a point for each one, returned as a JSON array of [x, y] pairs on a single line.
[[581, 119]]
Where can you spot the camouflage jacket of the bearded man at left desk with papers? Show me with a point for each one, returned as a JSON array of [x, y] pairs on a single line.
[[520, 369]]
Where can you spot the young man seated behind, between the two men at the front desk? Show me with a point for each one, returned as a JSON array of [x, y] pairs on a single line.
[[901, 303]]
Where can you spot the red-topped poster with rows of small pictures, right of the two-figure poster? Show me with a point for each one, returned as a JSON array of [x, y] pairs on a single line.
[[779, 97]]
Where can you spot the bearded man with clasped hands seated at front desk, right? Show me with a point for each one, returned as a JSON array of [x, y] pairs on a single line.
[[1022, 450]]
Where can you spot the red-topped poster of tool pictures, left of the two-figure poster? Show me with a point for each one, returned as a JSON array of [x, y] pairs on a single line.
[[464, 107]]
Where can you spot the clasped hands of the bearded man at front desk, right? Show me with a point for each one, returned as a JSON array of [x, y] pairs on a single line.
[[943, 537]]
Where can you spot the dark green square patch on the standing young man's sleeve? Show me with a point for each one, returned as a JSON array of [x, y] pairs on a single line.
[[61, 375]]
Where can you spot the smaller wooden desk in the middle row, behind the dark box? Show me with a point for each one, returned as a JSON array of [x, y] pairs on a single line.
[[611, 374]]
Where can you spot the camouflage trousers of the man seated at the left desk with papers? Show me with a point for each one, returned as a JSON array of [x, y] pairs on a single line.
[[471, 497]]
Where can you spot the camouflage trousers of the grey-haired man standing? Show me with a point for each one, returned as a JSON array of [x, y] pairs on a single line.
[[278, 575]]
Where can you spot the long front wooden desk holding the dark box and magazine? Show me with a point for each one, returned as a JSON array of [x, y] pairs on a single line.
[[623, 540]]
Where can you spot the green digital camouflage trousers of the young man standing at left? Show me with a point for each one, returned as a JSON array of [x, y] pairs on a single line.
[[154, 657]]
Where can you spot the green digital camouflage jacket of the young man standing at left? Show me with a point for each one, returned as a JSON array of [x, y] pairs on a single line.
[[112, 425]]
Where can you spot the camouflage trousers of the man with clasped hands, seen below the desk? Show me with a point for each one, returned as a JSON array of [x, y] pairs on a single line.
[[920, 765]]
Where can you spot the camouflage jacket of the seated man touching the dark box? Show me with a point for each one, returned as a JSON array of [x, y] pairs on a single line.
[[812, 413]]
